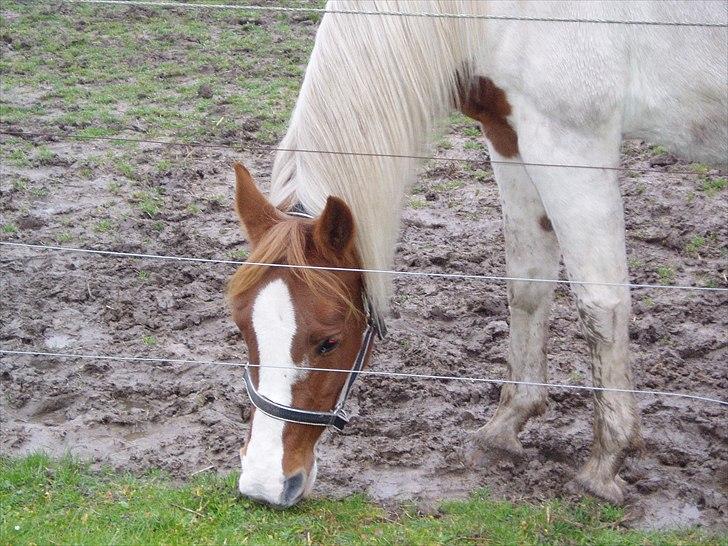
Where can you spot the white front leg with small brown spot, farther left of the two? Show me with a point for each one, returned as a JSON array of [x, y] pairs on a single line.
[[532, 252]]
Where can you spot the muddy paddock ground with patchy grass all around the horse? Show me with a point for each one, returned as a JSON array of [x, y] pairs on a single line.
[[116, 78]]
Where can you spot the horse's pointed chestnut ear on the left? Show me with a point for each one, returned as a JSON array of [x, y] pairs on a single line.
[[256, 214]]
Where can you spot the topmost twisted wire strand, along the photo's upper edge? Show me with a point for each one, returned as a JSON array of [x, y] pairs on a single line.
[[703, 24]]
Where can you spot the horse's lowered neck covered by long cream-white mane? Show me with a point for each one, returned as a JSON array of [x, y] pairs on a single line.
[[374, 84]]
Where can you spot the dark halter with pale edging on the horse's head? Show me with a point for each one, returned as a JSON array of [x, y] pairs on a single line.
[[336, 418]]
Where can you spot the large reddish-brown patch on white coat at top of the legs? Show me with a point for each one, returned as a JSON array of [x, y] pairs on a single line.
[[483, 101]]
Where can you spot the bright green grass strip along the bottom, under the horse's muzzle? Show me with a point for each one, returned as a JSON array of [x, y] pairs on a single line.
[[48, 501]]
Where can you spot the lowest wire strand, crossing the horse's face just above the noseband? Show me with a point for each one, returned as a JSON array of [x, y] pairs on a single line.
[[399, 375]]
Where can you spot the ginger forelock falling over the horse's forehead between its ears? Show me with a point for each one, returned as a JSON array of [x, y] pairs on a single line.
[[287, 242]]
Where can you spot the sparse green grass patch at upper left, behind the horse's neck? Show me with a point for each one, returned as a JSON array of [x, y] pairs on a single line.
[[254, 70]]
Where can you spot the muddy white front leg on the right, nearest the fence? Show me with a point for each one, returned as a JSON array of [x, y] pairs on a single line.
[[585, 209]]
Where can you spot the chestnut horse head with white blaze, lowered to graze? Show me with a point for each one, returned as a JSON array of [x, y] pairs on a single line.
[[293, 318]]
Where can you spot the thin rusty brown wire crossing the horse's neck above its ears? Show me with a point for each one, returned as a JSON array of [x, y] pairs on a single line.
[[264, 148]]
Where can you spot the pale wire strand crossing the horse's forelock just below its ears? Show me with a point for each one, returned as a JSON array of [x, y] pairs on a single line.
[[492, 278]]
